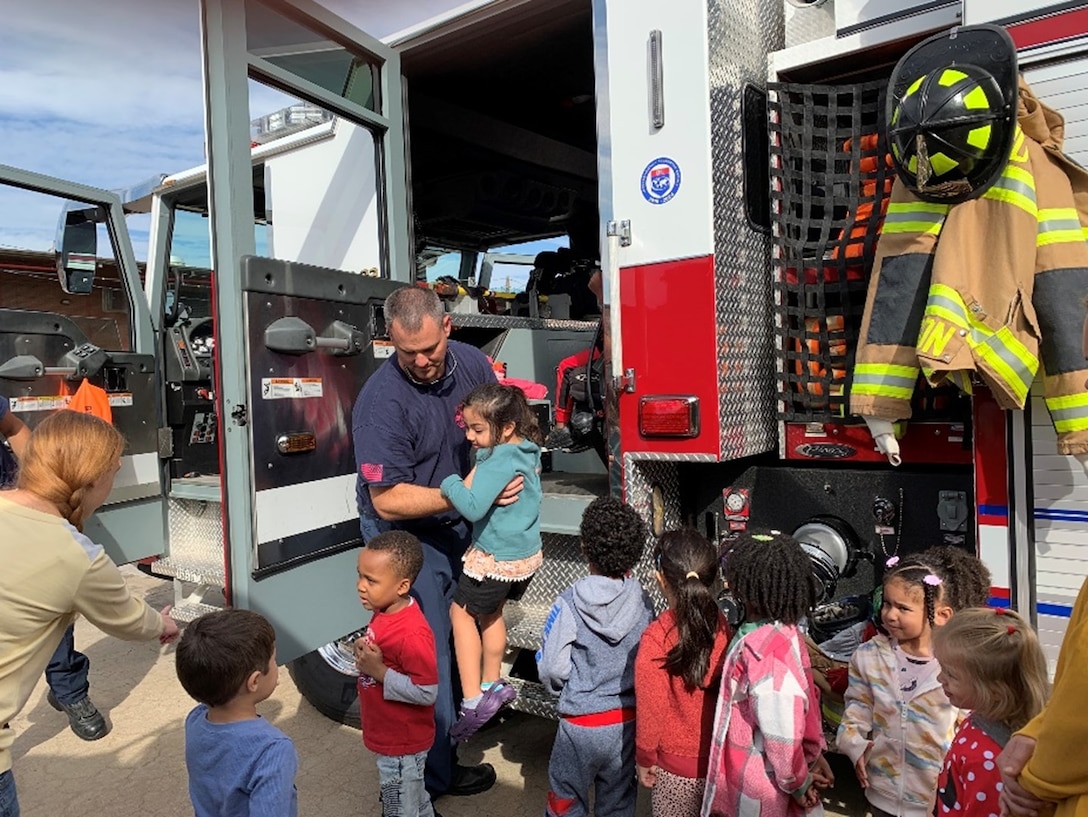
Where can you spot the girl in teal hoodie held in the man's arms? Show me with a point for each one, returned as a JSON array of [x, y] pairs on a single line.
[[506, 543]]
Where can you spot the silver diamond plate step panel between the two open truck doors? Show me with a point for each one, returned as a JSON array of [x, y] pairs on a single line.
[[196, 542]]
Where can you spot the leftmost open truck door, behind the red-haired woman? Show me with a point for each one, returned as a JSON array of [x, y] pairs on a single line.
[[80, 314]]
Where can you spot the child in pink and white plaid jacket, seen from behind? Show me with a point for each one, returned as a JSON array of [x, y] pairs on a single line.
[[766, 751]]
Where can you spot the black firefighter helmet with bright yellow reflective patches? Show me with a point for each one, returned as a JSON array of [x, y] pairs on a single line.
[[953, 106]]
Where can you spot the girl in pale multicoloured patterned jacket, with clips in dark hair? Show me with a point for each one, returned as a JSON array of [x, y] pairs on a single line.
[[898, 722]]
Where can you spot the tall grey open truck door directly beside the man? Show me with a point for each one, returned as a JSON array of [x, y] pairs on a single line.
[[295, 342]]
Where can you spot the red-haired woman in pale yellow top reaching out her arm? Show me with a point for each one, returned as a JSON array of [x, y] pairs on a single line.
[[52, 572]]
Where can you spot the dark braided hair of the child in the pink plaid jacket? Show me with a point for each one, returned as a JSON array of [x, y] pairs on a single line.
[[772, 577]]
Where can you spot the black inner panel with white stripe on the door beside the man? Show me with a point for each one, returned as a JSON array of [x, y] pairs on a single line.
[[311, 348]]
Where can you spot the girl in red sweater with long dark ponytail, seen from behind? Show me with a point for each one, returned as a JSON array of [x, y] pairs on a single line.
[[677, 674]]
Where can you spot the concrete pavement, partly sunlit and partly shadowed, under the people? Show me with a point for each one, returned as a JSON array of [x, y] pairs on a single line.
[[140, 768]]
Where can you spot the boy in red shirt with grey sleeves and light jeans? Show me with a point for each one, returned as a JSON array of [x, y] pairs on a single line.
[[399, 673]]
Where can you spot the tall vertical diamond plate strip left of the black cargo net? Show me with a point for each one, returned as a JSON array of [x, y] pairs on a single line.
[[740, 35]]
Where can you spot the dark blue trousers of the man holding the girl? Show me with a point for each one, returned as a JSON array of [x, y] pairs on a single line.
[[434, 589]]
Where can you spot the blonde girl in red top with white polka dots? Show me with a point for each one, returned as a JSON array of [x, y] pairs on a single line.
[[992, 664]]
